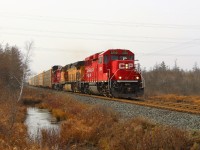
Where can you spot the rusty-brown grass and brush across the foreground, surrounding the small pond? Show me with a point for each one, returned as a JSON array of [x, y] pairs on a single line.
[[90, 127]]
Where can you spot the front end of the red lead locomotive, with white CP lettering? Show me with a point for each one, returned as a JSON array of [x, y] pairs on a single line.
[[124, 80]]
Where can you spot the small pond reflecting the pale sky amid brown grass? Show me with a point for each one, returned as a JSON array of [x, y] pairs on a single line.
[[38, 120]]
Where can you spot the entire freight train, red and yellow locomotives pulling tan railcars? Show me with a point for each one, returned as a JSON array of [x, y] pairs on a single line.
[[111, 73]]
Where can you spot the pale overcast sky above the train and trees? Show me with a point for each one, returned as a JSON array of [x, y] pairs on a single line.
[[65, 31]]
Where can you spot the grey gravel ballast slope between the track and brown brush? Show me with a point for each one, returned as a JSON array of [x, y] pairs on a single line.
[[159, 116]]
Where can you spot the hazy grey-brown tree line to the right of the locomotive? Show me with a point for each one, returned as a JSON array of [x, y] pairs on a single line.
[[163, 80]]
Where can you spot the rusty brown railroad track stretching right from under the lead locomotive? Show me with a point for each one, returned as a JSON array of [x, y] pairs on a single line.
[[175, 106]]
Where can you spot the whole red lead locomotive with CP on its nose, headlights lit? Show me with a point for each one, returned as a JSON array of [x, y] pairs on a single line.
[[113, 73]]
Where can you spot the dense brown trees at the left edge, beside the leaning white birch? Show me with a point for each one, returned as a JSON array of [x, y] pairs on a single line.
[[11, 67]]
